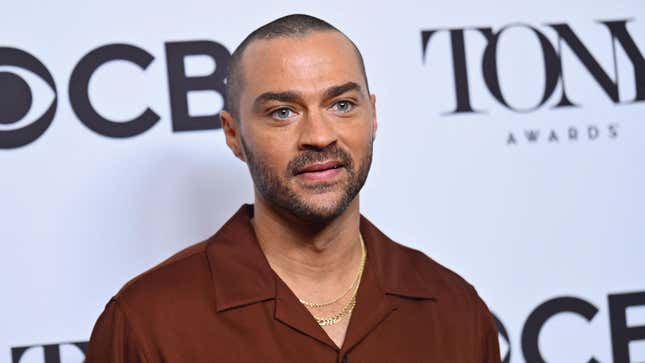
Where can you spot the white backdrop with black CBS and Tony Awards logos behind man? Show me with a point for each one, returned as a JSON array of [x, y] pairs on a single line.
[[511, 148]]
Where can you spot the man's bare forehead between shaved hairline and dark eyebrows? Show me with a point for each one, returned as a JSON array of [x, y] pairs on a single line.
[[302, 63]]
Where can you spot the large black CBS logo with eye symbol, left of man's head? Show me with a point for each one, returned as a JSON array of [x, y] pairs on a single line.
[[18, 104]]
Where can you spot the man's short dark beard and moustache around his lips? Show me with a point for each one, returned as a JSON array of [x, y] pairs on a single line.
[[276, 191]]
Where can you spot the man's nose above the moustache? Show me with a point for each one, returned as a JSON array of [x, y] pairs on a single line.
[[316, 131]]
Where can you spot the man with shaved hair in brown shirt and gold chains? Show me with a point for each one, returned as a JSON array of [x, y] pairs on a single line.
[[300, 276]]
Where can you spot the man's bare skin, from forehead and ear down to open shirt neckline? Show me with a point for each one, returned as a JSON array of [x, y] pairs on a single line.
[[311, 238]]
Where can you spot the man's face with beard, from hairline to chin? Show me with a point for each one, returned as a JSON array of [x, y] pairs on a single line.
[[306, 123]]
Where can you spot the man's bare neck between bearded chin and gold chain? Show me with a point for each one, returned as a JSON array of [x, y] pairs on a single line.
[[314, 259]]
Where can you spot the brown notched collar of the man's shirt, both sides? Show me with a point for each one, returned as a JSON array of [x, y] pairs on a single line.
[[242, 275]]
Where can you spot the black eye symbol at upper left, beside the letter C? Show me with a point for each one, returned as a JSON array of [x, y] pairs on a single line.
[[17, 100]]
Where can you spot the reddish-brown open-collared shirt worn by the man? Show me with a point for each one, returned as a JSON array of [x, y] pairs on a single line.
[[220, 301]]
